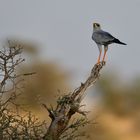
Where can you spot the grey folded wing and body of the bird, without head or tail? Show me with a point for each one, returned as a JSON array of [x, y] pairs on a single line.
[[102, 37]]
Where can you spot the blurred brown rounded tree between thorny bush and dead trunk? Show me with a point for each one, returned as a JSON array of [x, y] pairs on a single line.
[[48, 82]]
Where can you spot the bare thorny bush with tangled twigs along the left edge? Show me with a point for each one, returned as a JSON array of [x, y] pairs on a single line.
[[12, 124]]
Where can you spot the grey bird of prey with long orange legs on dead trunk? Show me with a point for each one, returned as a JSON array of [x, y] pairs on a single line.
[[103, 38]]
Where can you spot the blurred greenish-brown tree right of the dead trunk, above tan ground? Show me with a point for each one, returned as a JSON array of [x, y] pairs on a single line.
[[119, 98]]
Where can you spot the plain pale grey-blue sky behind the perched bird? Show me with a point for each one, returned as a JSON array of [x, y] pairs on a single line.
[[63, 28]]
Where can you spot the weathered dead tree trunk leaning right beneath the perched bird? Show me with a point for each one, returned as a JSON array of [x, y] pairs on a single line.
[[68, 105]]
